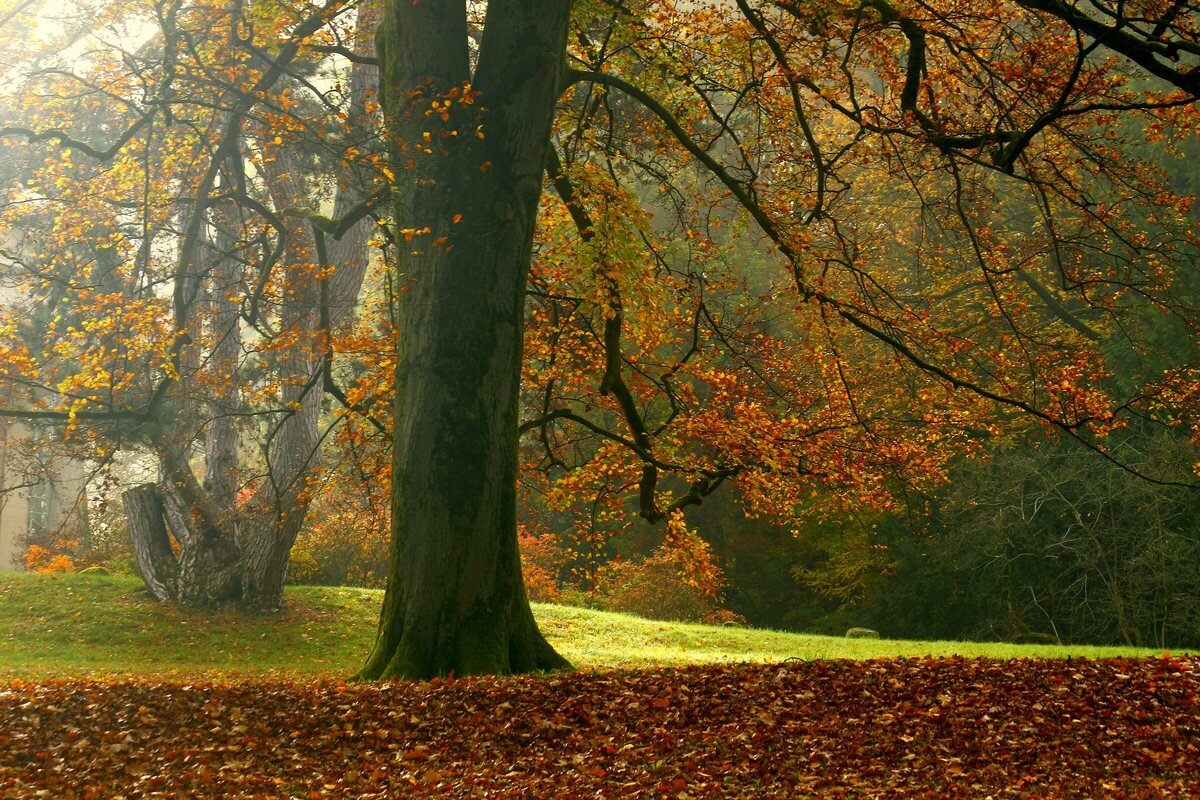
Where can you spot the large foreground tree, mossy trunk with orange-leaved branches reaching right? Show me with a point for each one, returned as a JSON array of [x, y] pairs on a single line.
[[800, 105]]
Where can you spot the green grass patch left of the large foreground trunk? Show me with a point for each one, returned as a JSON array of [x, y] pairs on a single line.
[[59, 625]]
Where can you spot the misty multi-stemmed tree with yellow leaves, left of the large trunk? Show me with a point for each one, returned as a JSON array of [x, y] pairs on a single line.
[[188, 300]]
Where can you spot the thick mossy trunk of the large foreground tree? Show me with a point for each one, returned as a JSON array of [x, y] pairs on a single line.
[[466, 202]]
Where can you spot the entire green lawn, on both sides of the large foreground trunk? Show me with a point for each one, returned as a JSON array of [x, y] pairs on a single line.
[[89, 625]]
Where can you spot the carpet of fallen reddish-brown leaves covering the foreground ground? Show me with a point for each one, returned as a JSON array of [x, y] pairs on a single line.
[[883, 729]]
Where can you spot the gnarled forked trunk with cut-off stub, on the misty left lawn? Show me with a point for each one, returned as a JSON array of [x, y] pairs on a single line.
[[226, 555]]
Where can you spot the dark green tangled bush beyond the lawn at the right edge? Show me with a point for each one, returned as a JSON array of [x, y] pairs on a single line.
[[1049, 543]]
